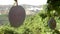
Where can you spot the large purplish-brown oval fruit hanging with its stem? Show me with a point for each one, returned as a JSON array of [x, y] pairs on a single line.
[[16, 15]]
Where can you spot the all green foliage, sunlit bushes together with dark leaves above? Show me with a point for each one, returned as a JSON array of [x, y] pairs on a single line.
[[37, 24]]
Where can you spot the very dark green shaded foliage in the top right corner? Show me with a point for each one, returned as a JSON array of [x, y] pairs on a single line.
[[53, 5]]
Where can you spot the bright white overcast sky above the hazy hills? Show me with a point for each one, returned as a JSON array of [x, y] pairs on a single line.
[[29, 2]]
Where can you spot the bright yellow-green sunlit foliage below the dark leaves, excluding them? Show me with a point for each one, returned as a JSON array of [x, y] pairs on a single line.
[[36, 24]]
